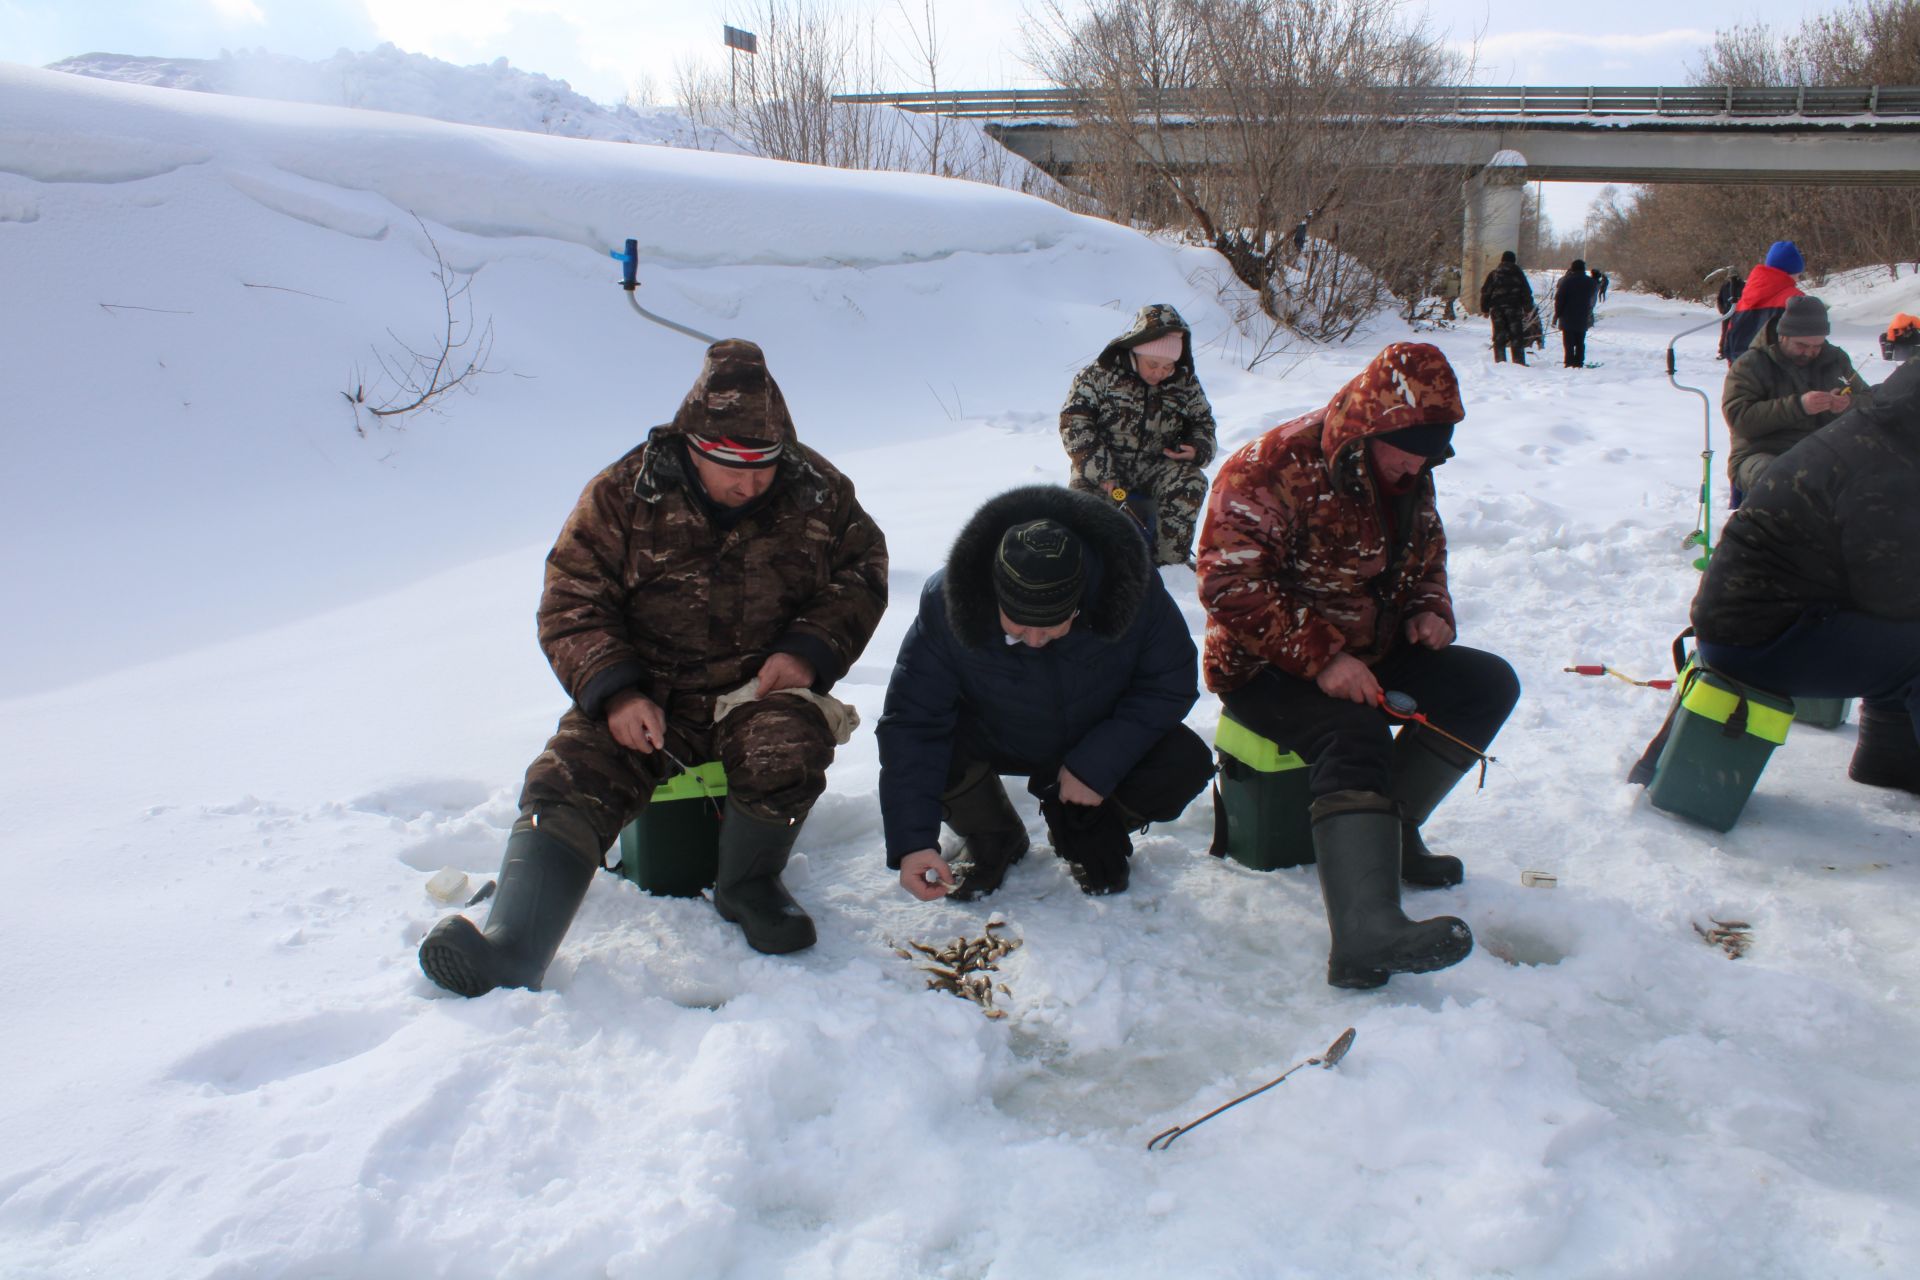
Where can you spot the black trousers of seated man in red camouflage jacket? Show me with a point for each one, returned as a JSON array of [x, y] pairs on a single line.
[[1349, 746]]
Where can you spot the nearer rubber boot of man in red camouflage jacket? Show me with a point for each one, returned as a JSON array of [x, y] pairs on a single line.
[[1356, 843]]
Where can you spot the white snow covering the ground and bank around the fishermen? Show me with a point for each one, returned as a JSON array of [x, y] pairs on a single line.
[[264, 675]]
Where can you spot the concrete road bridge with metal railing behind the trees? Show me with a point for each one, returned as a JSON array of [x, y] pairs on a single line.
[[1502, 139]]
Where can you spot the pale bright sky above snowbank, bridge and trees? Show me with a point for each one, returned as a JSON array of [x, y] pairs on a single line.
[[612, 47]]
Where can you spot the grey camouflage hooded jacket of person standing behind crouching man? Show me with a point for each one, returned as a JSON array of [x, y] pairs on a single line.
[[1113, 421]]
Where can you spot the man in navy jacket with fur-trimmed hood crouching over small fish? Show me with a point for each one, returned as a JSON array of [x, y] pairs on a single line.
[[1049, 650]]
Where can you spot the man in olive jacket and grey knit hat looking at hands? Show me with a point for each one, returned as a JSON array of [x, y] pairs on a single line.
[[1787, 389]]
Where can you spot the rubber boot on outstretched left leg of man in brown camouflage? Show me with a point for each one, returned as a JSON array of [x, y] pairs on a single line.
[[542, 882]]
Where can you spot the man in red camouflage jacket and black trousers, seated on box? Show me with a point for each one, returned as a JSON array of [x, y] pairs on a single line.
[[1324, 579]]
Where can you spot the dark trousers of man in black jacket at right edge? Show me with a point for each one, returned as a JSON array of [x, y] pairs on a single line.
[[1833, 655]]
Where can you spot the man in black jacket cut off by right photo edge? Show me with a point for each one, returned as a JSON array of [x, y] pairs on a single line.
[[1815, 590]]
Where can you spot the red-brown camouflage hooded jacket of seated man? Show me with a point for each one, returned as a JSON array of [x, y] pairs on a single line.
[[1303, 557]]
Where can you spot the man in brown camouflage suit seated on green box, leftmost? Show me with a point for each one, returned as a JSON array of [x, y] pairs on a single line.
[[719, 554]]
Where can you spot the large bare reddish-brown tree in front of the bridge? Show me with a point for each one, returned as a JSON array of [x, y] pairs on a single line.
[[1259, 130]]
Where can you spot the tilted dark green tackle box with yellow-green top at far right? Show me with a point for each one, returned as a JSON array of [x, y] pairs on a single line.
[[1719, 742]]
